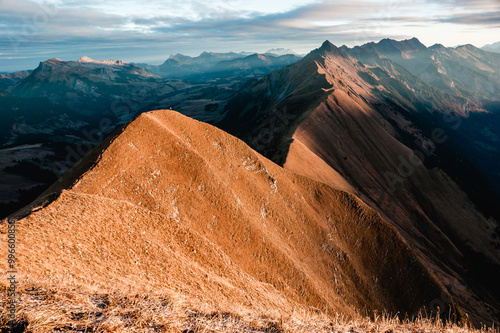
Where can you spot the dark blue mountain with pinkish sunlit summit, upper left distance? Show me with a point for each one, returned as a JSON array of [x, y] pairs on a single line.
[[93, 87]]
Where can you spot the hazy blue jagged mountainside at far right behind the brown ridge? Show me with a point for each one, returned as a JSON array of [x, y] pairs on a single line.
[[468, 78]]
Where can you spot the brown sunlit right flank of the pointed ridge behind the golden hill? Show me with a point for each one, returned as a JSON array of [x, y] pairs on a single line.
[[355, 143]]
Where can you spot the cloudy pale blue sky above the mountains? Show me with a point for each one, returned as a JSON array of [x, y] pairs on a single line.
[[35, 30]]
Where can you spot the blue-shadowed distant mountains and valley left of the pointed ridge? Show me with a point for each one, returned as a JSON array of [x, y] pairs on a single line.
[[54, 107]]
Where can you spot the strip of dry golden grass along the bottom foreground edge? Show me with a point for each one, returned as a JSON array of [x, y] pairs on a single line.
[[77, 310]]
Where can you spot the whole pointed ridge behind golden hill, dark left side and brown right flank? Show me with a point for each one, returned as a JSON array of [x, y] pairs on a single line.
[[386, 134]]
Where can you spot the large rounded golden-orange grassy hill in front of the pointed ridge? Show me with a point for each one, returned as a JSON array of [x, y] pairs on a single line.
[[180, 207]]
